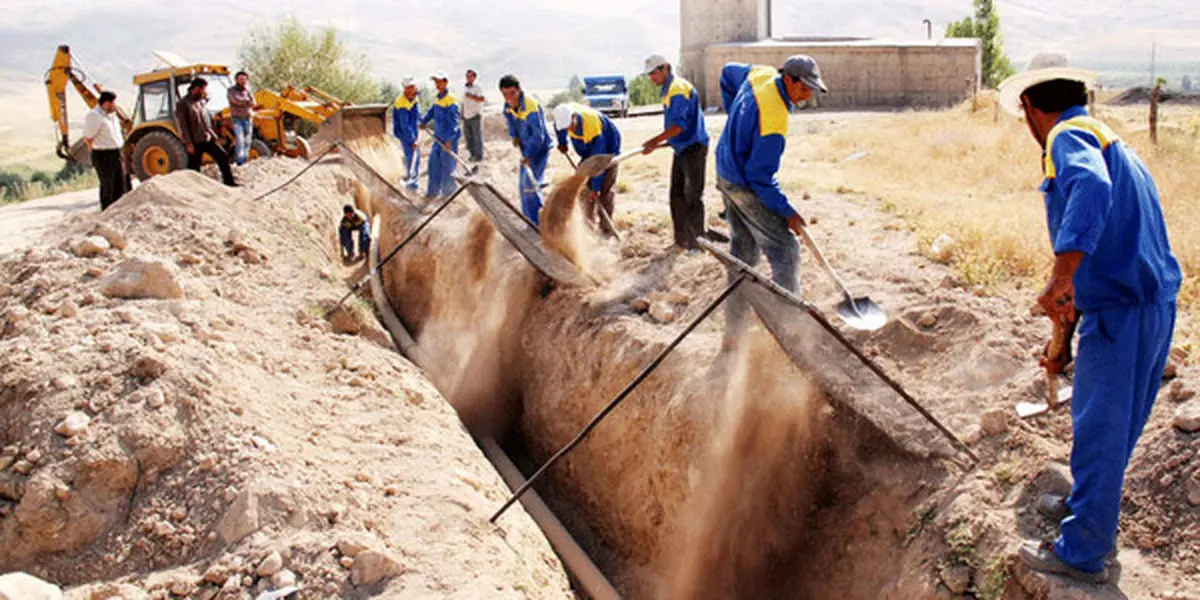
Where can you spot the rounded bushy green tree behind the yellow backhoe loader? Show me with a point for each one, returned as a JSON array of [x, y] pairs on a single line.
[[291, 55]]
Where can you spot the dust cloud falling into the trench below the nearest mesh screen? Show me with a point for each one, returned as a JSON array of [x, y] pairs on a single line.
[[748, 517]]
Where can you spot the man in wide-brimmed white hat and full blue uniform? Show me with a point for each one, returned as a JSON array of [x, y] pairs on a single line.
[[1115, 272]]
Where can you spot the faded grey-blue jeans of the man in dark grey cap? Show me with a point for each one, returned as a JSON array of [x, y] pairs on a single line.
[[754, 231]]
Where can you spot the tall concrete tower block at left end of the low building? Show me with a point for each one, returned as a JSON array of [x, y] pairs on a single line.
[[704, 23]]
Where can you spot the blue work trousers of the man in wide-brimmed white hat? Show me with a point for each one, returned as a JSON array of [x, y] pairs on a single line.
[[1123, 353]]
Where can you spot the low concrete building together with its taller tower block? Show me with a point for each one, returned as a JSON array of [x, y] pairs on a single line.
[[860, 73]]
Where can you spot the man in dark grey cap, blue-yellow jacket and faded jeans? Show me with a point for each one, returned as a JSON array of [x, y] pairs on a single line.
[[759, 100]]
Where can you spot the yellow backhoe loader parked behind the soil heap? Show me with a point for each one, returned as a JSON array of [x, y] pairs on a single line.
[[153, 146]]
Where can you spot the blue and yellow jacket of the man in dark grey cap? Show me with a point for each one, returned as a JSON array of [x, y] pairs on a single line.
[[755, 134]]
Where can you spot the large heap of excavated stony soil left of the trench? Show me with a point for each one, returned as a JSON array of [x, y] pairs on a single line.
[[181, 418]]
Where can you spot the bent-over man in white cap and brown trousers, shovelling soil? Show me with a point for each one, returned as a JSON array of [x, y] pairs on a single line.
[[592, 134]]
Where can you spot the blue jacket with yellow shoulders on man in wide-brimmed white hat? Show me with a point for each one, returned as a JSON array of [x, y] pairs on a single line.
[[1102, 201]]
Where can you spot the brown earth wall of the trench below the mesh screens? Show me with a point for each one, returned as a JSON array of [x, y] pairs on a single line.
[[727, 475]]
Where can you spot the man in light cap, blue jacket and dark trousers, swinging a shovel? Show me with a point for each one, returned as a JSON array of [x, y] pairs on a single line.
[[685, 131]]
